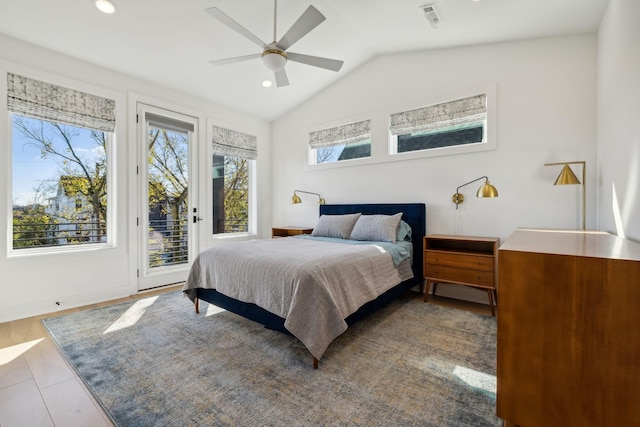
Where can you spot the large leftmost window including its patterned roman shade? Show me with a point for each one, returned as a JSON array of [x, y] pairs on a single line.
[[60, 144]]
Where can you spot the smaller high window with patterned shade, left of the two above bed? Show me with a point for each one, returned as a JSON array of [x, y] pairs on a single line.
[[345, 142]]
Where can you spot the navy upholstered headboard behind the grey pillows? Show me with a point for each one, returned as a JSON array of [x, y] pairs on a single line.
[[413, 214]]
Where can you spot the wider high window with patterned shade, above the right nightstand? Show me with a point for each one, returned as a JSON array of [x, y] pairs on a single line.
[[449, 124]]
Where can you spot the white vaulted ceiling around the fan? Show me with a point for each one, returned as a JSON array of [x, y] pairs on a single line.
[[170, 42]]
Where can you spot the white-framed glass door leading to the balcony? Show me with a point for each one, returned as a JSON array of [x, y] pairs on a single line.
[[167, 207]]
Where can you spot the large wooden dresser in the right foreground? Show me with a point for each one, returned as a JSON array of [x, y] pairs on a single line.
[[568, 329]]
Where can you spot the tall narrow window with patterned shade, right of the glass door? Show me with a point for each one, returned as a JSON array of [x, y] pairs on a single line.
[[233, 154]]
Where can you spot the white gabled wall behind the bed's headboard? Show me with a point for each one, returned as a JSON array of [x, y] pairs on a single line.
[[546, 112]]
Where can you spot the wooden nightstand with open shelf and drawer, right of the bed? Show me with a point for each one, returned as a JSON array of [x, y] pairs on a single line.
[[468, 261]]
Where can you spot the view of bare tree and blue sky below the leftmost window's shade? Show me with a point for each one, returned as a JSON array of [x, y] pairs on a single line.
[[59, 184]]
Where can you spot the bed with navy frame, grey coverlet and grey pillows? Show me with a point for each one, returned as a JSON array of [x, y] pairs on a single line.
[[315, 306]]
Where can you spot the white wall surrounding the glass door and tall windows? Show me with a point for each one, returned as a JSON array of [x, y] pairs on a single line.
[[30, 285]]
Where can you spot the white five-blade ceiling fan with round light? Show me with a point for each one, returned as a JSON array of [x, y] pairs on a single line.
[[274, 55]]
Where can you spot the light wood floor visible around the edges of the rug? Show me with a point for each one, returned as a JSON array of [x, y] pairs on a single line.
[[39, 388]]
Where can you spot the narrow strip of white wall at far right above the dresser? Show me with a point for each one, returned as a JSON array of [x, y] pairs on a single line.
[[619, 119]]
